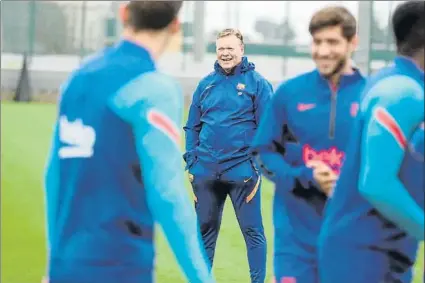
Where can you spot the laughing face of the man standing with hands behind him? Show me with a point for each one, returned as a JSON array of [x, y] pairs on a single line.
[[229, 52]]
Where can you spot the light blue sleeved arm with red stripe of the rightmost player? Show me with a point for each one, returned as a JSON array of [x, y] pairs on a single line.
[[390, 122]]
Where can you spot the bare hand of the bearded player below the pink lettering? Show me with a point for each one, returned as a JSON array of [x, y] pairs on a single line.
[[324, 176]]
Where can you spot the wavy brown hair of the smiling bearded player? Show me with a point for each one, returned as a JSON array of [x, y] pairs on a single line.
[[333, 16]]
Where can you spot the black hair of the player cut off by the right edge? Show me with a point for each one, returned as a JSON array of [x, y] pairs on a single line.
[[408, 27]]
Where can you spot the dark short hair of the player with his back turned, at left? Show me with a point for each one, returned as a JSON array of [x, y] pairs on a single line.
[[152, 15]]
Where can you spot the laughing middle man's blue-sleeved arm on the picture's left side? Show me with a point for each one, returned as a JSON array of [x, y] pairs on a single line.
[[192, 128]]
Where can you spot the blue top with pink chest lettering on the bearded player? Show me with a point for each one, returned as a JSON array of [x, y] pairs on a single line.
[[306, 120]]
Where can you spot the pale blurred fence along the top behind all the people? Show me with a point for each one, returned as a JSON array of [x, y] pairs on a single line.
[[80, 27]]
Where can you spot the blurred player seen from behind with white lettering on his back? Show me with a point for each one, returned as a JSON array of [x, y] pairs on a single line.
[[115, 166]]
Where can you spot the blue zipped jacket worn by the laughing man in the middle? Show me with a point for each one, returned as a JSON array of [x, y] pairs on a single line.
[[223, 117]]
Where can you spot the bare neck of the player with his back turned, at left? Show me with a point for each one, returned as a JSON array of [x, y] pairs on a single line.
[[153, 42]]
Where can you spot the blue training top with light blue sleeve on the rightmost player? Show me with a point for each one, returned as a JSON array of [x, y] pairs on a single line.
[[376, 198]]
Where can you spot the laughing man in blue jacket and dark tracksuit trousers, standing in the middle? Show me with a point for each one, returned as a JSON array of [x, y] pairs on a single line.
[[223, 118]]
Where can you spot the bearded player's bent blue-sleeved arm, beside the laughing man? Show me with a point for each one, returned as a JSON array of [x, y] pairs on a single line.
[[268, 145]]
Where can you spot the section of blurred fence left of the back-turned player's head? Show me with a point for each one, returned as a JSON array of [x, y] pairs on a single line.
[[54, 27]]
